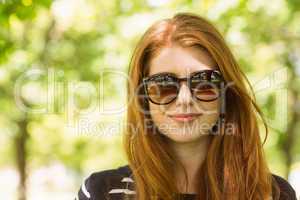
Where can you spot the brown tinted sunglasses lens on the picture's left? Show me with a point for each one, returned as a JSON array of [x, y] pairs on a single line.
[[162, 91]]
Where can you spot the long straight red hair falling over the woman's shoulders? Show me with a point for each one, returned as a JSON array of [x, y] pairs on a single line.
[[235, 167]]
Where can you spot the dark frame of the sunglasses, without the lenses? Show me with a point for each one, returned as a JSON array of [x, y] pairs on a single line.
[[146, 80]]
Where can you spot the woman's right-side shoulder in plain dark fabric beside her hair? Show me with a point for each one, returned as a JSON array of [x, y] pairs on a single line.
[[286, 190]]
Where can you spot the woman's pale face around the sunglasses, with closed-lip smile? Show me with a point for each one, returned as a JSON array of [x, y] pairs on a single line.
[[186, 118]]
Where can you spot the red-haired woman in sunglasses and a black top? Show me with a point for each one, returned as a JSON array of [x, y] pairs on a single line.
[[192, 130]]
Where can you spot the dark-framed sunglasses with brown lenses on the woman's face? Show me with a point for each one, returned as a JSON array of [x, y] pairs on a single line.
[[163, 88]]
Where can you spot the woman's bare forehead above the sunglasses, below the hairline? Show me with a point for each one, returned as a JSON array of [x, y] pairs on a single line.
[[181, 61]]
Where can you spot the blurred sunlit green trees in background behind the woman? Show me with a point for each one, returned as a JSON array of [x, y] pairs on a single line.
[[63, 67]]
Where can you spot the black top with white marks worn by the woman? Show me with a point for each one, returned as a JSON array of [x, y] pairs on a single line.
[[116, 184]]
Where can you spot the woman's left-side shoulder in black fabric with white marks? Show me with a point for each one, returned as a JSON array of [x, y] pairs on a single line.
[[111, 182]]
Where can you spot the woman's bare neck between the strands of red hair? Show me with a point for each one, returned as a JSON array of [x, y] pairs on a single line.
[[191, 155]]
